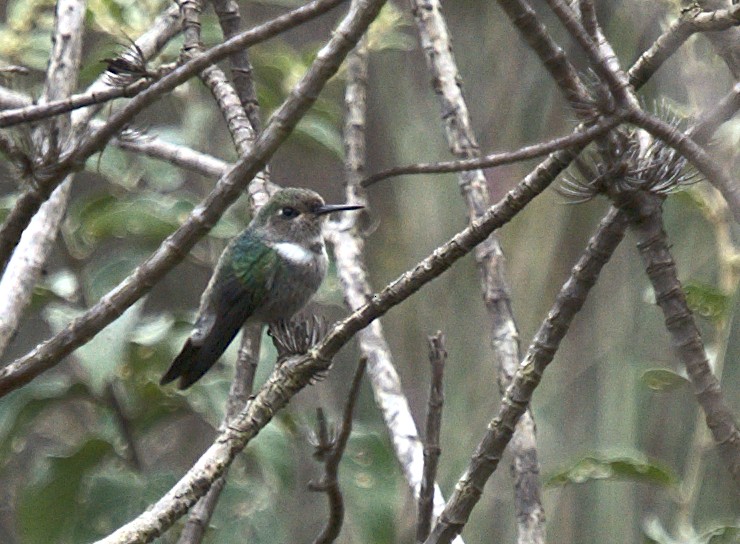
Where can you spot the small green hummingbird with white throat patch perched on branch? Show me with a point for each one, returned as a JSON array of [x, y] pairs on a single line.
[[266, 274]]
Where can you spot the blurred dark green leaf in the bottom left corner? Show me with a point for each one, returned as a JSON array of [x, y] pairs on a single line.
[[48, 508]]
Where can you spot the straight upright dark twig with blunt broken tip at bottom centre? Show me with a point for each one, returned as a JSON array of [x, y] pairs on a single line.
[[432, 451]]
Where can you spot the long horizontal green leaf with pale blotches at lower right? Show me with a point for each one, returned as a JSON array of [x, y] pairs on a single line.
[[621, 468]]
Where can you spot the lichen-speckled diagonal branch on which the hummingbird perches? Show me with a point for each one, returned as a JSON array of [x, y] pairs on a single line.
[[292, 375]]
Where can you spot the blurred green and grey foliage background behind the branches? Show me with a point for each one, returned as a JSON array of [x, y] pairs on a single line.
[[88, 445]]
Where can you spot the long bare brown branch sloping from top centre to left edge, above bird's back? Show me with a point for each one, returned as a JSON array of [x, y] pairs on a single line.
[[204, 216]]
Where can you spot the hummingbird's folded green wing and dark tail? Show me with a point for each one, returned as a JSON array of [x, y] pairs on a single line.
[[239, 284]]
